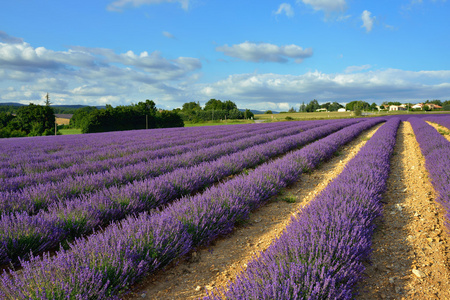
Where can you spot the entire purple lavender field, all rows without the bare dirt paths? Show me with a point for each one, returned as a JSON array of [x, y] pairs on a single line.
[[90, 216]]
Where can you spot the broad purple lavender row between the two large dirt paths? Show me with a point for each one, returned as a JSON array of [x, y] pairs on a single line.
[[320, 254]]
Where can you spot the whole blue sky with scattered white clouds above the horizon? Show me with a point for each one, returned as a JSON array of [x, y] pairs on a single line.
[[259, 54]]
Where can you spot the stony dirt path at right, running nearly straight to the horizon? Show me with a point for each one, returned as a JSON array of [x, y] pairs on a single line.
[[410, 258]]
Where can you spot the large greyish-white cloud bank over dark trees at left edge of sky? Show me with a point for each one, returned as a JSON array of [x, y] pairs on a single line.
[[82, 75]]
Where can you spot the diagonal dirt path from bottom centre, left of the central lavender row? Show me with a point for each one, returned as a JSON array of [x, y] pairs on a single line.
[[215, 265]]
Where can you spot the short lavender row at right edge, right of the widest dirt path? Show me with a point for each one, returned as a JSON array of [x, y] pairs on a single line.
[[436, 150]]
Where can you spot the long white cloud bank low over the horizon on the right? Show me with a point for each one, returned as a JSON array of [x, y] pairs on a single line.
[[256, 90]]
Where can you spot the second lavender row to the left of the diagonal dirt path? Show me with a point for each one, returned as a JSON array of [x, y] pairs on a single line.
[[21, 233]]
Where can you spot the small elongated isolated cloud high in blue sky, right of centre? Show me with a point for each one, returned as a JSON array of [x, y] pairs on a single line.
[[265, 52]]
